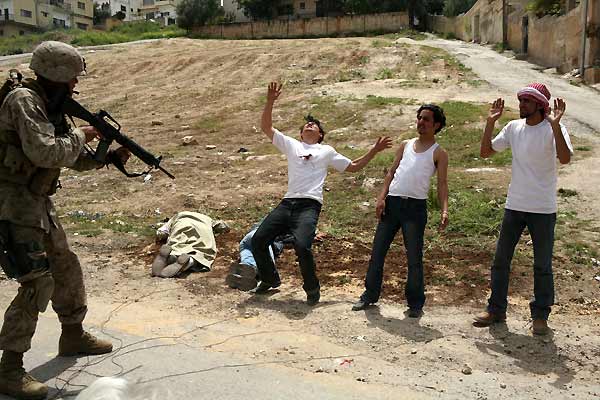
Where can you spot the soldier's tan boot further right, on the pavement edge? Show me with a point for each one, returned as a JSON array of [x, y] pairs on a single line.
[[75, 341]]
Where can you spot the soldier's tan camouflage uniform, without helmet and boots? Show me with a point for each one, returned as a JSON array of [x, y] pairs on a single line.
[[32, 151]]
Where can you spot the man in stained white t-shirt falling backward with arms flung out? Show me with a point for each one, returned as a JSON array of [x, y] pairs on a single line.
[[298, 212]]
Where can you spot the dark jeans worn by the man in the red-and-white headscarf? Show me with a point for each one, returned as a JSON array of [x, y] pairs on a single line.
[[541, 228]]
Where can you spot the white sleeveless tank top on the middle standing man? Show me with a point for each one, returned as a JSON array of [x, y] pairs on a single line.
[[413, 175]]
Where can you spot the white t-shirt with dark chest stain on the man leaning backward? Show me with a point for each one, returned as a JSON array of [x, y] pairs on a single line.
[[307, 166]]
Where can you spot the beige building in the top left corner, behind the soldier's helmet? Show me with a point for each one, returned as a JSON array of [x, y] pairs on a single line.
[[18, 17]]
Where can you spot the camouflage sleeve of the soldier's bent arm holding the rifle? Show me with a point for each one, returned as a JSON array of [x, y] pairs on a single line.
[[39, 142]]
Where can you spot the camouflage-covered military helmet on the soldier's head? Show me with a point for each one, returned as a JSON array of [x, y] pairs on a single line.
[[57, 61]]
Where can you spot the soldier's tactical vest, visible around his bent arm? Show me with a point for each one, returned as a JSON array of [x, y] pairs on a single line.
[[15, 167]]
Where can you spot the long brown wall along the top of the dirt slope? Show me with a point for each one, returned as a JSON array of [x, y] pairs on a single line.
[[331, 26]]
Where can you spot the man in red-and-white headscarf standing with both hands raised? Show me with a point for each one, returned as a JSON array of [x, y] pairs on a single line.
[[536, 140]]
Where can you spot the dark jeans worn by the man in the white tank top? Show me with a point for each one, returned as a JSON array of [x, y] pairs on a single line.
[[410, 215]]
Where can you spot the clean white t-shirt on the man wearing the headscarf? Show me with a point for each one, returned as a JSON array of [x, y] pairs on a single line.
[[534, 172]]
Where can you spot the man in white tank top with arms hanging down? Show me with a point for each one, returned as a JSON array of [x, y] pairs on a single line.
[[402, 204]]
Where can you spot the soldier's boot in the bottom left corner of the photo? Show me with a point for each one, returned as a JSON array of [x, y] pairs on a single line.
[[17, 383]]
